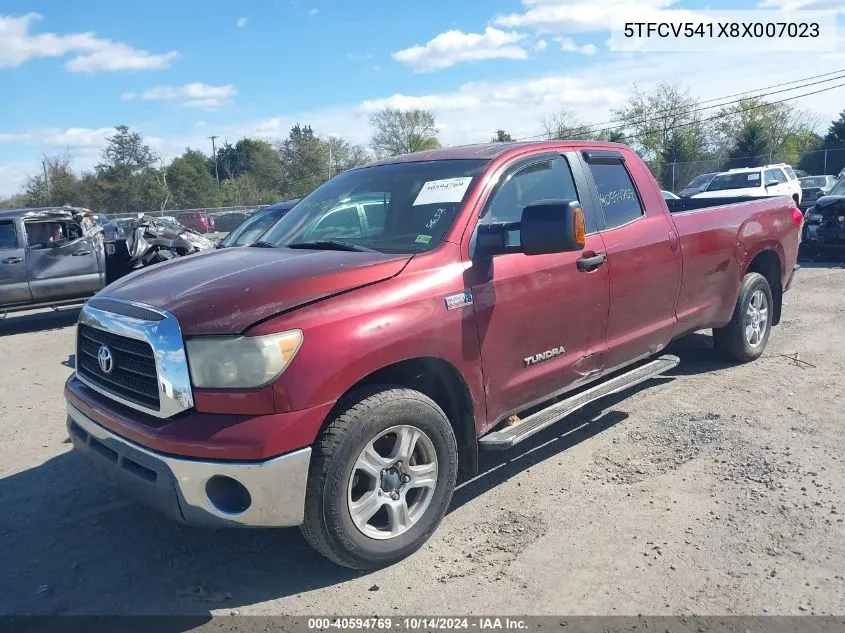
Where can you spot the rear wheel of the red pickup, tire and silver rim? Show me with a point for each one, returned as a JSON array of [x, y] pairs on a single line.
[[739, 340]]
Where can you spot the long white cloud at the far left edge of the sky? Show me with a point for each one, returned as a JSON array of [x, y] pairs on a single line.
[[90, 53]]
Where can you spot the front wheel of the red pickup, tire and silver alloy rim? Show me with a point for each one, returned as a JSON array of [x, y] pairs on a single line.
[[373, 418]]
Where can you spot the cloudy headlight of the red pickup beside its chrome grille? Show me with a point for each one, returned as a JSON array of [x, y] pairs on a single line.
[[240, 361]]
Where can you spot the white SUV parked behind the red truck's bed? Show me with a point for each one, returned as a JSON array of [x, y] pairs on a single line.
[[756, 182]]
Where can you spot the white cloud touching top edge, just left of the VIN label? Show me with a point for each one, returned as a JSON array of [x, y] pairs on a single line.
[[580, 16]]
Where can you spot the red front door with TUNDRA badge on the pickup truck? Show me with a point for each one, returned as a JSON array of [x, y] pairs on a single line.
[[542, 322]]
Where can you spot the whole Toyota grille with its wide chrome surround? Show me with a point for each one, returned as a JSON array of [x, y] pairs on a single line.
[[134, 354]]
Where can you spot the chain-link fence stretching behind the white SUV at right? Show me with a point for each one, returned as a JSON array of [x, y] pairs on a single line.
[[675, 176]]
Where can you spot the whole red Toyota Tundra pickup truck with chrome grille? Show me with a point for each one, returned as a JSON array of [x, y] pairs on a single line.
[[343, 372]]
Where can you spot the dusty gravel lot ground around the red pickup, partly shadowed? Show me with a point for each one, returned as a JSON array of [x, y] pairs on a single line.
[[715, 490]]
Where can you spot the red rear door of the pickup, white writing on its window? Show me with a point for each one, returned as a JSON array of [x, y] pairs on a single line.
[[643, 257]]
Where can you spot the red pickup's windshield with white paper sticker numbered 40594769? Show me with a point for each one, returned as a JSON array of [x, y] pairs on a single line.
[[395, 208]]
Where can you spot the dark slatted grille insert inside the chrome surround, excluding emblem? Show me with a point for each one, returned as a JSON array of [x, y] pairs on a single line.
[[132, 375]]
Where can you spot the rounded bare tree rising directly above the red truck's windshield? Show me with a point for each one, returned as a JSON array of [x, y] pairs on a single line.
[[402, 132]]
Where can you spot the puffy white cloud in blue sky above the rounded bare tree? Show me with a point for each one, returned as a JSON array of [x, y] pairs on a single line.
[[454, 47]]
